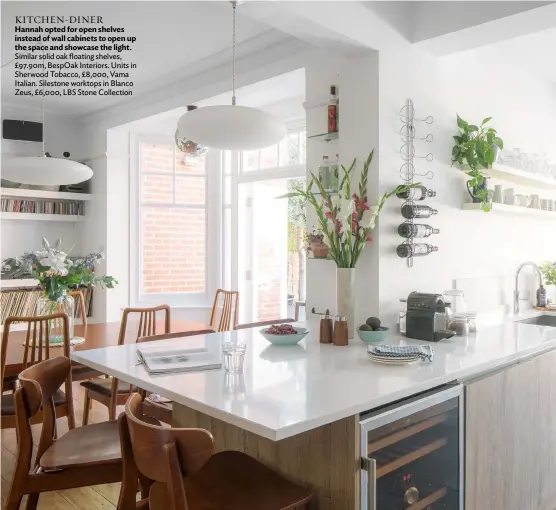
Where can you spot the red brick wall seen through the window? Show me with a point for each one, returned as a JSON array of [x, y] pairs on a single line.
[[173, 233]]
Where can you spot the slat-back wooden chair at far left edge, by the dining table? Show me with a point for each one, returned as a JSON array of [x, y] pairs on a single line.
[[36, 349]]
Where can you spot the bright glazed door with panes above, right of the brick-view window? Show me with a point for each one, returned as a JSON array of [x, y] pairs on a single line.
[[267, 241]]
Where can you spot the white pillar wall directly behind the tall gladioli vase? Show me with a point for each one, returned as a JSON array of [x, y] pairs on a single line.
[[357, 81]]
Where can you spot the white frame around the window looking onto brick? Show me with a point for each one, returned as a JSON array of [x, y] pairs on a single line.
[[213, 201]]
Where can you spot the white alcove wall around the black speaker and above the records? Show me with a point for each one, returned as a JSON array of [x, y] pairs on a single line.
[[61, 135]]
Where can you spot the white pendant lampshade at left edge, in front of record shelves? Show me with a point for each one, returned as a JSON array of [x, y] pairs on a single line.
[[45, 171]]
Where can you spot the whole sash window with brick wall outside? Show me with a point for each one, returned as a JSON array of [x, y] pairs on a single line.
[[171, 225]]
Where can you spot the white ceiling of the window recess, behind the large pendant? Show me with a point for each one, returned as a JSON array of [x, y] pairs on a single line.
[[281, 96]]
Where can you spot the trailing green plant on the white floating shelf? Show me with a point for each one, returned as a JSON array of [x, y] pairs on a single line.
[[477, 147]]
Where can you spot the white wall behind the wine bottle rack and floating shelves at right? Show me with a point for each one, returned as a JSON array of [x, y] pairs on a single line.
[[471, 245]]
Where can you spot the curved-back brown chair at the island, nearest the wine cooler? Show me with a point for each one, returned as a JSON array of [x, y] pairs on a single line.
[[186, 473]]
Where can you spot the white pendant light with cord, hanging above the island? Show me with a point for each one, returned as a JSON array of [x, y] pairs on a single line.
[[231, 127]]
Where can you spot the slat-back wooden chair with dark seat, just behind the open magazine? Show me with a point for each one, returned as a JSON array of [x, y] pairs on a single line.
[[110, 391]]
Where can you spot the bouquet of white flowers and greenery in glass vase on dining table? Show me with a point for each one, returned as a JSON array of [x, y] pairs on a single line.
[[57, 274]]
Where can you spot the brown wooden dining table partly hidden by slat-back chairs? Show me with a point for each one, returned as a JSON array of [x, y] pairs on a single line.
[[96, 336]]
